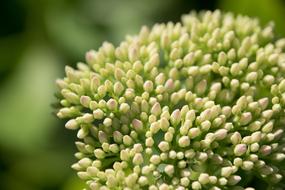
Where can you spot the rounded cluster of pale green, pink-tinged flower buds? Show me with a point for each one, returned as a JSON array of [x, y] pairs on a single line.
[[192, 105]]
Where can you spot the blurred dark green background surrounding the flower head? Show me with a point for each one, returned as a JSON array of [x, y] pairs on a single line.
[[37, 39]]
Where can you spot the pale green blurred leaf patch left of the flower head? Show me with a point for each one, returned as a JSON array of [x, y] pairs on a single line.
[[25, 103]]
